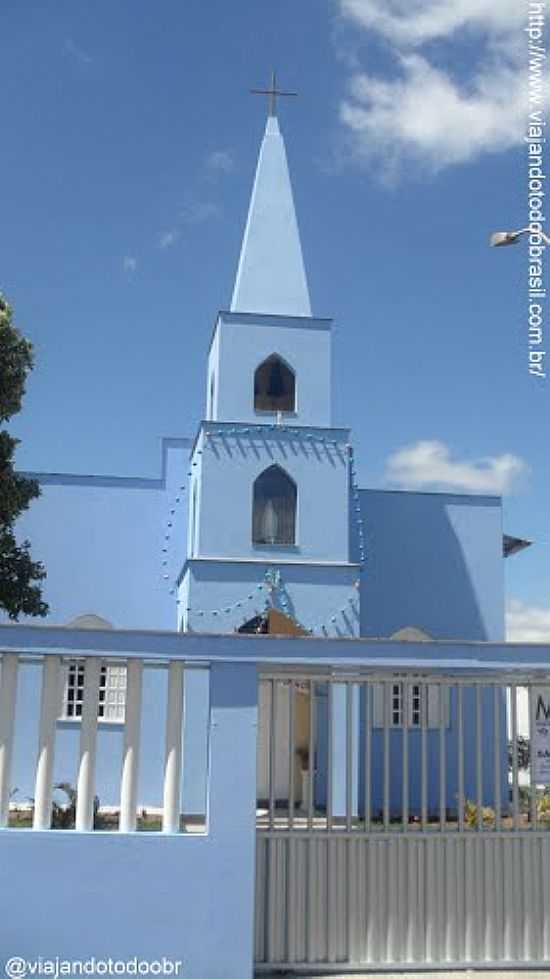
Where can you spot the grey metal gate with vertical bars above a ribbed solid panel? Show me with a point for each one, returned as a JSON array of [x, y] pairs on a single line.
[[404, 829]]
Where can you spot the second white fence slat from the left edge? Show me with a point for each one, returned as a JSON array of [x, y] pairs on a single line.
[[50, 706]]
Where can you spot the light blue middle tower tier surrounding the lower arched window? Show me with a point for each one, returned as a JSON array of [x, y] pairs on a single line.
[[226, 467]]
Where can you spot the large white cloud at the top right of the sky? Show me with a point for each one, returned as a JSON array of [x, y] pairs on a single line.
[[424, 112]]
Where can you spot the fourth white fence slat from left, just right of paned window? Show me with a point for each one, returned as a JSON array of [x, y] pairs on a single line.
[[130, 750]]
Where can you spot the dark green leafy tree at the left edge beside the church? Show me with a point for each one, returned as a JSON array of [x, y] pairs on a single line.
[[20, 591]]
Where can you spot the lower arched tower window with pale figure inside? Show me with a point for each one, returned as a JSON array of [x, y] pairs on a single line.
[[274, 508]]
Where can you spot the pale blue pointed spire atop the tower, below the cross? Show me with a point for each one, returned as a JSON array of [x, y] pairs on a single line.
[[271, 276]]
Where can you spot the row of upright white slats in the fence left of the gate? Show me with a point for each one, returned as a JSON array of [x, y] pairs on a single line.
[[77, 690]]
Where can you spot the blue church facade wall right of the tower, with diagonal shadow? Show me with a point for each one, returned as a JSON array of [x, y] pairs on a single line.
[[434, 561]]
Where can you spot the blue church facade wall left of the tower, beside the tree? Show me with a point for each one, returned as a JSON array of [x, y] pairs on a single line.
[[101, 541]]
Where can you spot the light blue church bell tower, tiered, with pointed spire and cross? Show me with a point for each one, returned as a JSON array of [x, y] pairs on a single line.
[[269, 477]]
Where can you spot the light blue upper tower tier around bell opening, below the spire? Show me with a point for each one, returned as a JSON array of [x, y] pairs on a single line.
[[242, 341]]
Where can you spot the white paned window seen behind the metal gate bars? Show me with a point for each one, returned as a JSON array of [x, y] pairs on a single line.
[[424, 700]]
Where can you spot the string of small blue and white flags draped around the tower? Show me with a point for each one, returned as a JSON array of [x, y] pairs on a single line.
[[272, 586]]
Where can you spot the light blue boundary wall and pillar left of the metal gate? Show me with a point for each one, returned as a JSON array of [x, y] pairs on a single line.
[[77, 895]]
